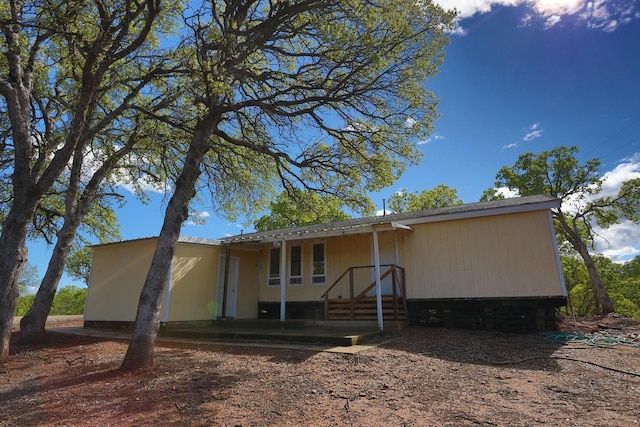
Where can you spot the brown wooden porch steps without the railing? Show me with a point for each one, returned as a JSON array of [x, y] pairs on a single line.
[[366, 309]]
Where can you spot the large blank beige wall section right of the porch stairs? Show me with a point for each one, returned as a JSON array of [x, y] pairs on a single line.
[[488, 257]]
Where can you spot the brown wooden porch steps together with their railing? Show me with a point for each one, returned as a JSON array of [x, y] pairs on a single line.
[[363, 307]]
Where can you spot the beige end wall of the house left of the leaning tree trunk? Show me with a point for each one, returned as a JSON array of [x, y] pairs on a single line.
[[117, 275]]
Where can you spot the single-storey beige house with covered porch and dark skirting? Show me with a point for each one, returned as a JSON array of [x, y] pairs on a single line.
[[489, 264]]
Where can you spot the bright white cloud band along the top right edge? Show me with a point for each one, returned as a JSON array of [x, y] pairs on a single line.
[[605, 15]]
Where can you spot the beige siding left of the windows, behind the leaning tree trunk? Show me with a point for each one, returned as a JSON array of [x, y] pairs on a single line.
[[119, 271]]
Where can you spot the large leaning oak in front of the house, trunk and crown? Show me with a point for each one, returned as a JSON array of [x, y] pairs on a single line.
[[326, 95]]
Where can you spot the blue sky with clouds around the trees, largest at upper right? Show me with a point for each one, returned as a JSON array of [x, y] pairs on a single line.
[[519, 76]]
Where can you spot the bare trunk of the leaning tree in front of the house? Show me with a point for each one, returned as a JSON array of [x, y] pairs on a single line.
[[140, 351]]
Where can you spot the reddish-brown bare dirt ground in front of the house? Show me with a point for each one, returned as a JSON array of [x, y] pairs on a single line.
[[423, 377]]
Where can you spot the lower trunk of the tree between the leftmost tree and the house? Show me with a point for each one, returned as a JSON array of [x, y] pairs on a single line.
[[32, 325]]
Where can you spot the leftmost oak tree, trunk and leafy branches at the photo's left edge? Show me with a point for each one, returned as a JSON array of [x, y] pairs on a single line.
[[60, 86]]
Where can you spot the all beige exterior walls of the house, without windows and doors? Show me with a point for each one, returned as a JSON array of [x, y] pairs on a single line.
[[504, 256]]
